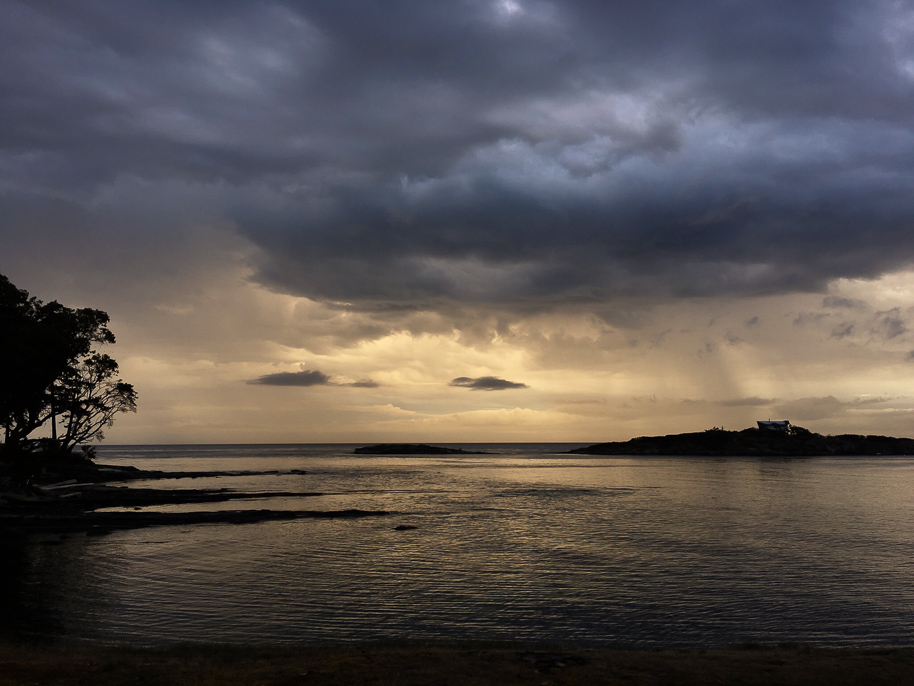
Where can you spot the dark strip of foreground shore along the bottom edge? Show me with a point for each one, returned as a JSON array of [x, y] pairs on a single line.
[[450, 664]]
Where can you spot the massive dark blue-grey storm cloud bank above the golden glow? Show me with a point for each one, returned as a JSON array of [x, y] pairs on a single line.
[[409, 155]]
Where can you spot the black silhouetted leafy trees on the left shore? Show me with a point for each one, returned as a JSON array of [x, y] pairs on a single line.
[[49, 370]]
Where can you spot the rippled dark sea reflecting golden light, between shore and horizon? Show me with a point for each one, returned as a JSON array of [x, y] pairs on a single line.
[[524, 543]]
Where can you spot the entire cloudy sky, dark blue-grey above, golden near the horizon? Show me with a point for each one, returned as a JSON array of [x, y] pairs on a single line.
[[472, 220]]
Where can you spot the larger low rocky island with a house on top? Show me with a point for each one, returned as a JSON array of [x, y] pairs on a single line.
[[783, 441]]
